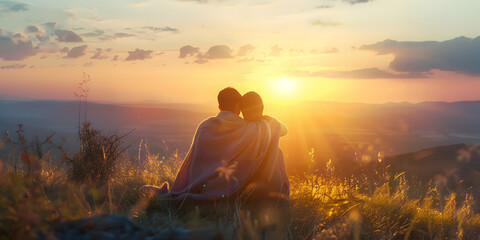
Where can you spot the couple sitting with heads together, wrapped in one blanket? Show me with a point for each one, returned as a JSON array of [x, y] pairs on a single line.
[[234, 157]]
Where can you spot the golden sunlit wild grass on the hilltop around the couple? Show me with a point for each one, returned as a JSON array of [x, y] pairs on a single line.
[[36, 192]]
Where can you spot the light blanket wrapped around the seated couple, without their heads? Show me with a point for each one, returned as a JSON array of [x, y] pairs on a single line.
[[227, 153]]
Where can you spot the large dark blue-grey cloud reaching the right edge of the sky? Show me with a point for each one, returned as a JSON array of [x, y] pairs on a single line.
[[461, 55]]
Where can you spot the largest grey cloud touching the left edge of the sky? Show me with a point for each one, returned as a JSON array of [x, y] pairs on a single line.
[[15, 47]]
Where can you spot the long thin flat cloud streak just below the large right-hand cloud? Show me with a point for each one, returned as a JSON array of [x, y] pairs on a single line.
[[365, 73]]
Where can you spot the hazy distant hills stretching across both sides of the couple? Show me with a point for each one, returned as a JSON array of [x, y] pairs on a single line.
[[348, 133]]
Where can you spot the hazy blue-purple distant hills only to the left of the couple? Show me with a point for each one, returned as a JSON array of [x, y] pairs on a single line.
[[175, 126]]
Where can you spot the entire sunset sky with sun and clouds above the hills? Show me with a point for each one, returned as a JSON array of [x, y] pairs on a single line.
[[185, 51]]
